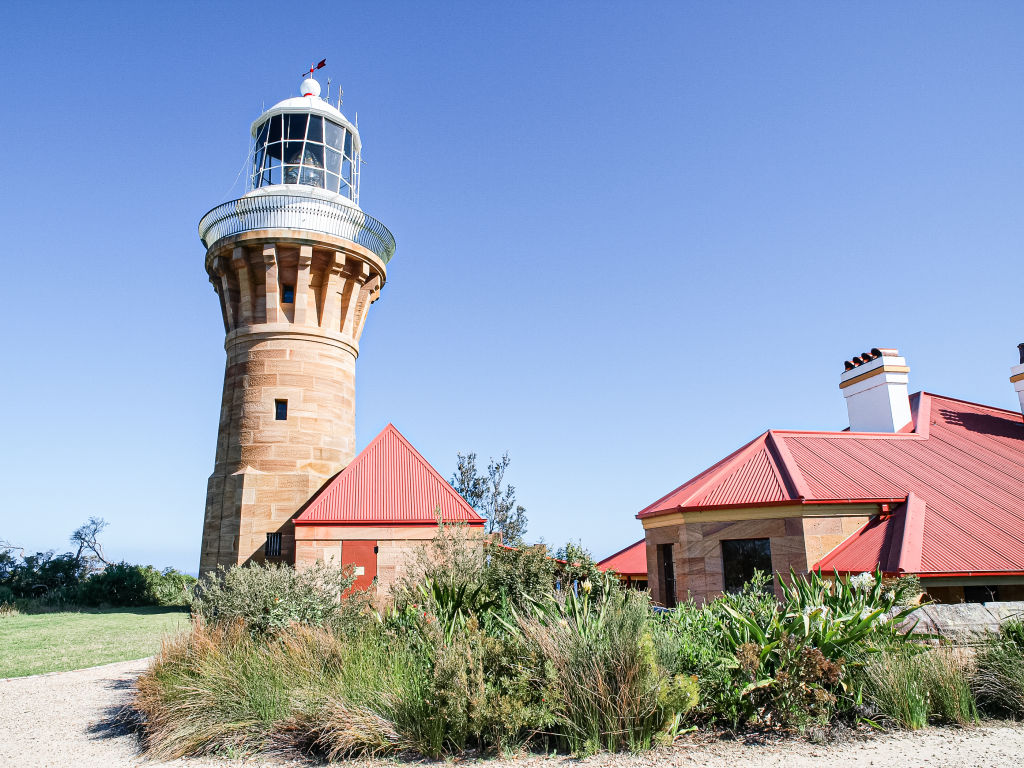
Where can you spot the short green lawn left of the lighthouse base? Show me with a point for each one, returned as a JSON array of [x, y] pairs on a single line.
[[33, 644]]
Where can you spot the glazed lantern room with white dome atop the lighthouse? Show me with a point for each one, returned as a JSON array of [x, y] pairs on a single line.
[[307, 142]]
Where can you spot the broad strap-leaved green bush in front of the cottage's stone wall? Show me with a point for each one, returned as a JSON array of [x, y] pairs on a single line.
[[766, 663]]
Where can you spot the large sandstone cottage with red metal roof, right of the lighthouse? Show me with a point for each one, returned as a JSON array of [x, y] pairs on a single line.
[[941, 497]]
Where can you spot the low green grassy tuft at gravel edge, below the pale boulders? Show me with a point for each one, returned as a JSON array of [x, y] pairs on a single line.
[[911, 687]]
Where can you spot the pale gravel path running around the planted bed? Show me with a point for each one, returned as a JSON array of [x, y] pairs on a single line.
[[66, 719]]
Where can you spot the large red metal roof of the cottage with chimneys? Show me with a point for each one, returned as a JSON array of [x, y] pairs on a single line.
[[962, 463]]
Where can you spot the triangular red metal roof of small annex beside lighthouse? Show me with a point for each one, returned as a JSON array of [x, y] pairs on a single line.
[[389, 484]]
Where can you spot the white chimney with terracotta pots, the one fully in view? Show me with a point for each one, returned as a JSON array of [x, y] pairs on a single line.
[[875, 388]]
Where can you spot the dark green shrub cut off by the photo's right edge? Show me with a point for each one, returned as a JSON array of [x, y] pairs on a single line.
[[999, 678]]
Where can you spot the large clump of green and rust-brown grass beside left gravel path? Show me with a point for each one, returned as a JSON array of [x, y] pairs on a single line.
[[222, 691]]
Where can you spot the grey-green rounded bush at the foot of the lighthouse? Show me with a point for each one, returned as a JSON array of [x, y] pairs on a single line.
[[272, 596]]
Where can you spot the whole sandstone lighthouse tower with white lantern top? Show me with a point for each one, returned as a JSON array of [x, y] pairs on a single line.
[[296, 265]]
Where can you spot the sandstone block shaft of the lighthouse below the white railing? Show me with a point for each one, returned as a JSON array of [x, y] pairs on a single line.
[[302, 353]]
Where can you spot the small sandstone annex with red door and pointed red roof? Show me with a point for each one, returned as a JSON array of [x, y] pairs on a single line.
[[376, 513]]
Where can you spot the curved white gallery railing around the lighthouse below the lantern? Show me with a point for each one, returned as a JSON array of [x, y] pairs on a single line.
[[296, 212]]
